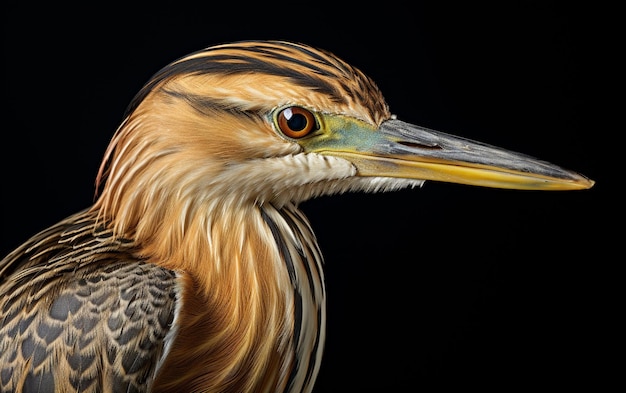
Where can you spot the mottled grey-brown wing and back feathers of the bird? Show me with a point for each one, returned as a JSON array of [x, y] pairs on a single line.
[[80, 312]]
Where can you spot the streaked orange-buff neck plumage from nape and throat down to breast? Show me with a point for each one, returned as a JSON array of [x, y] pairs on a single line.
[[250, 269]]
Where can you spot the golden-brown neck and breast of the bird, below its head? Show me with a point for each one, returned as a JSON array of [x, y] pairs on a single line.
[[252, 281]]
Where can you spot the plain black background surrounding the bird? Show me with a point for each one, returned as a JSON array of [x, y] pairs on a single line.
[[446, 286]]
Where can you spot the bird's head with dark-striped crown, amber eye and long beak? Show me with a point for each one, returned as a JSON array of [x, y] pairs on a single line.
[[277, 122]]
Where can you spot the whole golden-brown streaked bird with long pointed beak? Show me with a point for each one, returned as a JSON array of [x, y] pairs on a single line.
[[195, 270]]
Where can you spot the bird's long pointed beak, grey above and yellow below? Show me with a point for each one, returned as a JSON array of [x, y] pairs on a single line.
[[399, 149]]
